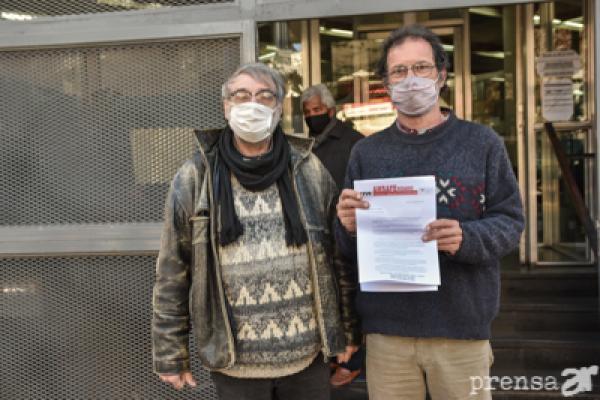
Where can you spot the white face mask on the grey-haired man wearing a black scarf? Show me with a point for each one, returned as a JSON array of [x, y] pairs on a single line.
[[252, 122]]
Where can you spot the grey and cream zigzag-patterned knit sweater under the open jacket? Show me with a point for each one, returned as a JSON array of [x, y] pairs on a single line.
[[269, 290]]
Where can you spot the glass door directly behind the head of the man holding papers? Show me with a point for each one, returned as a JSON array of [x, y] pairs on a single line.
[[350, 48]]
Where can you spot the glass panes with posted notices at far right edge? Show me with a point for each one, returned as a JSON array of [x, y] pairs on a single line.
[[561, 236]]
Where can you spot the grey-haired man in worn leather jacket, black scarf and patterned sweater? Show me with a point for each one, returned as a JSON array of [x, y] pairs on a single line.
[[247, 258]]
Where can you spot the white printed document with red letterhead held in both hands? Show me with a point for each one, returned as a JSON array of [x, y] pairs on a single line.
[[392, 257]]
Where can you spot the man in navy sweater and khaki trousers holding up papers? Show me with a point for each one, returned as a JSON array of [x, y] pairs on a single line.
[[435, 341]]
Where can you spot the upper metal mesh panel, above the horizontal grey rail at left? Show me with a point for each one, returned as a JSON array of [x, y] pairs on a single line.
[[94, 135]]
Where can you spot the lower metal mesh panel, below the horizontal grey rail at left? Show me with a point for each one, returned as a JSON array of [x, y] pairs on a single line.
[[79, 328]]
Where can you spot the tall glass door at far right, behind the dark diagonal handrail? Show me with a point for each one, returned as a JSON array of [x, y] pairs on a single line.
[[559, 237]]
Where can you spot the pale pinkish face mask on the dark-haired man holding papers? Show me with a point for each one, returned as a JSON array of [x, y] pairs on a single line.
[[415, 96]]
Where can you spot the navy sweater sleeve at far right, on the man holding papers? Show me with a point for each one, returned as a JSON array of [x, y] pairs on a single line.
[[499, 229]]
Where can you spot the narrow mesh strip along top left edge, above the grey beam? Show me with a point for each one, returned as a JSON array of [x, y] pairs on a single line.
[[23, 10]]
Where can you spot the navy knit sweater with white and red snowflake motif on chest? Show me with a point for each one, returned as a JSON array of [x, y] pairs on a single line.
[[476, 186]]
